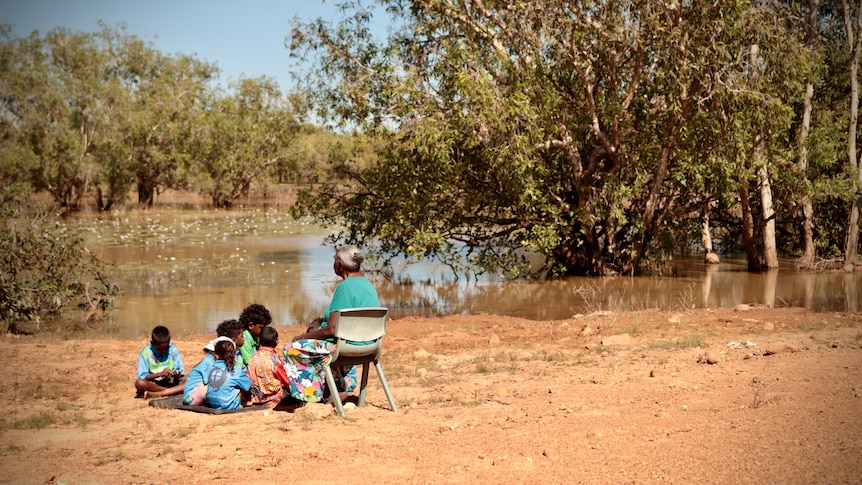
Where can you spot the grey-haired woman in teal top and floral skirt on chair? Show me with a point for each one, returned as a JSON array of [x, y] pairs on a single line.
[[306, 357]]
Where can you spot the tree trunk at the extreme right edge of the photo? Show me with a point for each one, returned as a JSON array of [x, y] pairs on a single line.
[[851, 243]]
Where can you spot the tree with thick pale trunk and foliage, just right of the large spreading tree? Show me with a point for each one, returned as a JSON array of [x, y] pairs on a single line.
[[753, 111]]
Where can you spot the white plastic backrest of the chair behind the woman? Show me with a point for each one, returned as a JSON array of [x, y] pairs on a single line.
[[359, 331]]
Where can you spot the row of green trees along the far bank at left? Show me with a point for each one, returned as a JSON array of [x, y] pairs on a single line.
[[106, 115]]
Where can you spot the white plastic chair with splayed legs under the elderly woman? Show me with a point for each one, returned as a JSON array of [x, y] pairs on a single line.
[[359, 338]]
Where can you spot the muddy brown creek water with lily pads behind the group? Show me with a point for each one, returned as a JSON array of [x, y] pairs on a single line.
[[189, 270]]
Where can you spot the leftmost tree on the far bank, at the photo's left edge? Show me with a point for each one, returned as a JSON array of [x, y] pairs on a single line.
[[53, 111]]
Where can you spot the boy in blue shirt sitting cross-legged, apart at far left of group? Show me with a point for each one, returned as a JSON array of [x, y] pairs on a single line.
[[160, 366]]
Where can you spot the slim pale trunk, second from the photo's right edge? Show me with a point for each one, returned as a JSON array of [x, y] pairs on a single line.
[[807, 259]]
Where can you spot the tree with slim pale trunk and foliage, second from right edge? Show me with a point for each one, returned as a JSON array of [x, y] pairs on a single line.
[[820, 183]]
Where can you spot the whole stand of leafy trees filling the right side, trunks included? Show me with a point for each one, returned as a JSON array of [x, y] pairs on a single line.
[[606, 135]]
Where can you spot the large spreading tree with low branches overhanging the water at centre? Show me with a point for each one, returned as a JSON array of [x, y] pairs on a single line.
[[564, 128]]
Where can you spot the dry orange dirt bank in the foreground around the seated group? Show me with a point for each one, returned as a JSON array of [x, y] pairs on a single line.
[[713, 395]]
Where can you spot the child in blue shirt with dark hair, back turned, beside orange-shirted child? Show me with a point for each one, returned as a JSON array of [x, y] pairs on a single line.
[[228, 386]]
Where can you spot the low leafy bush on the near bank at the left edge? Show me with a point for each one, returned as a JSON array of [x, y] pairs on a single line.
[[44, 268]]
